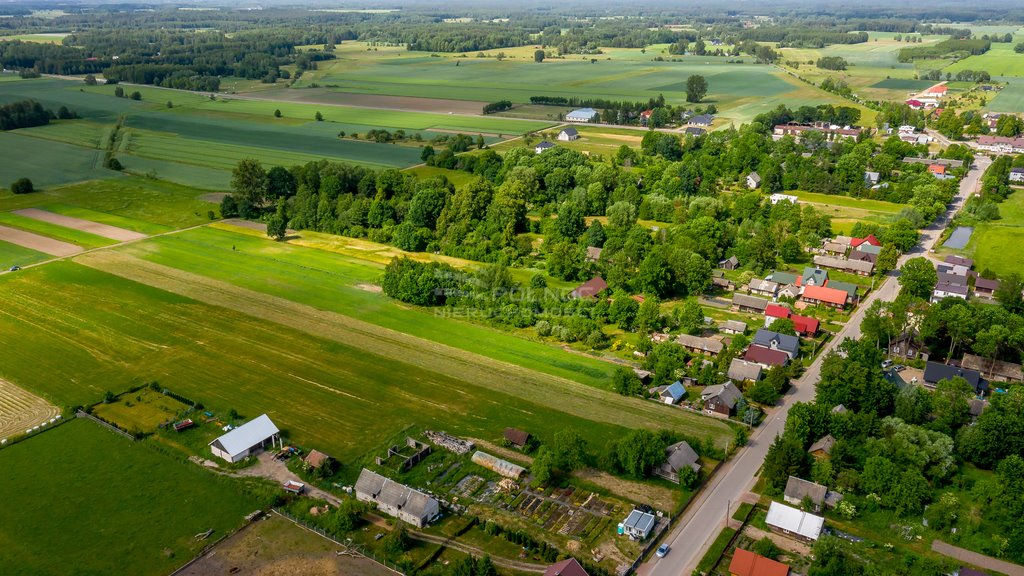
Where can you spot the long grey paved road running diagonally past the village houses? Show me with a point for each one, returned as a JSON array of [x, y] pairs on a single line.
[[707, 515]]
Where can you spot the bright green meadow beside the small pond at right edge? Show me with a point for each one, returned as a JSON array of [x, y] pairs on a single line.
[[991, 241]]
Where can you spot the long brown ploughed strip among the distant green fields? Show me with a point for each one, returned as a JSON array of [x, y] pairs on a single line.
[[322, 96]]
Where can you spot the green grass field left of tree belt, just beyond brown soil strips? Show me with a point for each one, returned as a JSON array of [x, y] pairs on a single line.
[[142, 201]]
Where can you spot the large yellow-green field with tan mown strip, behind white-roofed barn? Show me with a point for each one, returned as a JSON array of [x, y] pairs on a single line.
[[334, 383]]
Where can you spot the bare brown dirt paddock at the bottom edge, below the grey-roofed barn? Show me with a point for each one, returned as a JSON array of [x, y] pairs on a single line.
[[276, 547]]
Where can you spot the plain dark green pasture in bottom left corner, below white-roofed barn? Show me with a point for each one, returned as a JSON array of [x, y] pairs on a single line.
[[83, 501]]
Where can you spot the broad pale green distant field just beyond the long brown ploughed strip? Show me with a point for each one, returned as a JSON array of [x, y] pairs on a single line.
[[740, 91]]
